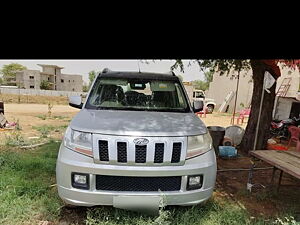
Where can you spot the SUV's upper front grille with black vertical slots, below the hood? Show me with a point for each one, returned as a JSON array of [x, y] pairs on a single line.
[[160, 151]]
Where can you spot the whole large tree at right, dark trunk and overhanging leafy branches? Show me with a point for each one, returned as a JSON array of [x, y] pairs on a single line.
[[223, 66]]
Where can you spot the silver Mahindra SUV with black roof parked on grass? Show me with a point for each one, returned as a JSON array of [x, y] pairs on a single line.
[[136, 139]]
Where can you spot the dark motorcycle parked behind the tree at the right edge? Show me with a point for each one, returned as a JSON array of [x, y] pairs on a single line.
[[280, 129]]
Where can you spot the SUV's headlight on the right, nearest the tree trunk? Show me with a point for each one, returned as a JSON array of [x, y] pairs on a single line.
[[198, 145]]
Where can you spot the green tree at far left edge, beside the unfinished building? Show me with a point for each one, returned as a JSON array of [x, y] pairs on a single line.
[[9, 71]]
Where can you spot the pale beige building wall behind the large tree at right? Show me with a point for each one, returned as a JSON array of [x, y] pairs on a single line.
[[285, 106]]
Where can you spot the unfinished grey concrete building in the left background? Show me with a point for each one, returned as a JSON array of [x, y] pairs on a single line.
[[32, 79]]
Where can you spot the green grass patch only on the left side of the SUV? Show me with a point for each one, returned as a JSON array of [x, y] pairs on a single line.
[[26, 194]]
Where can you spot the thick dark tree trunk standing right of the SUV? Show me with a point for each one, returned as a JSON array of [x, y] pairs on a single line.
[[258, 69]]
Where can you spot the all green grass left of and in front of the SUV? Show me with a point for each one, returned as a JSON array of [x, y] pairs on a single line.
[[28, 196]]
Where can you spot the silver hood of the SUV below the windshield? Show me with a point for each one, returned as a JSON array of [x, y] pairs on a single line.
[[138, 123]]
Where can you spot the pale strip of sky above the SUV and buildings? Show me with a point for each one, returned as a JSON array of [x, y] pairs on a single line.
[[83, 67]]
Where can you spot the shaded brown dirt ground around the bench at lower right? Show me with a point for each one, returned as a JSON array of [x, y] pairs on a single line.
[[263, 201]]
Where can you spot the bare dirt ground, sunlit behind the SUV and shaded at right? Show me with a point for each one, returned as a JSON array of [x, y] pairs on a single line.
[[229, 184]]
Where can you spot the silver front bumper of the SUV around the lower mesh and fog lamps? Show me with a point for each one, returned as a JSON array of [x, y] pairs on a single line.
[[69, 161]]
